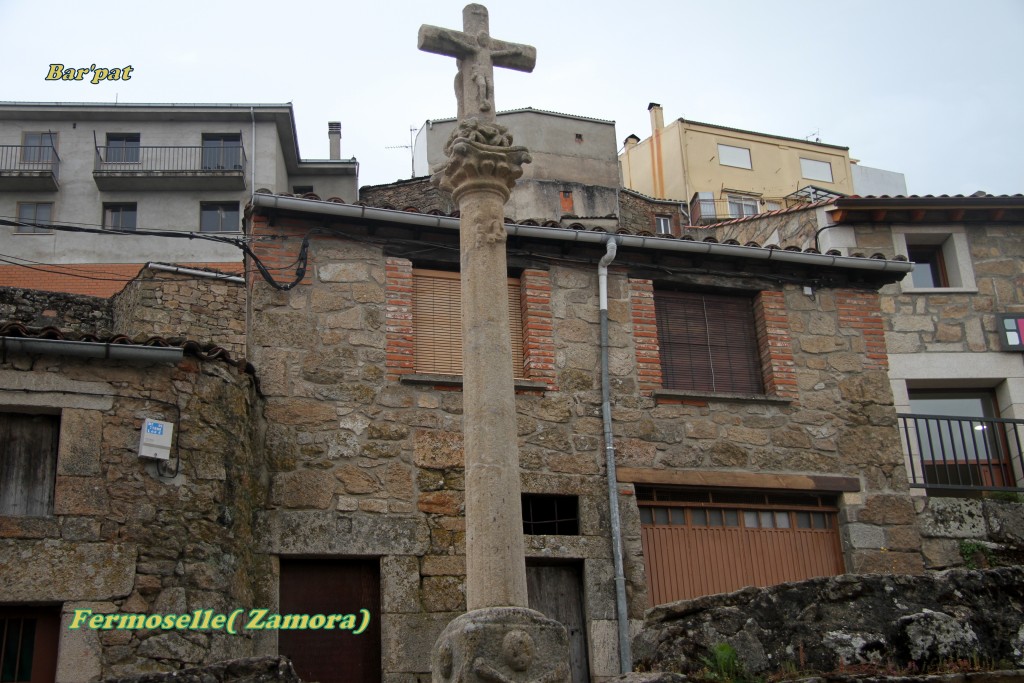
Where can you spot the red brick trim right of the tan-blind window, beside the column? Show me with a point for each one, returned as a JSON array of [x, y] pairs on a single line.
[[538, 339]]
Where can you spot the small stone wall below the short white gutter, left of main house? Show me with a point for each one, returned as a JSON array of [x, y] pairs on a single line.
[[182, 307]]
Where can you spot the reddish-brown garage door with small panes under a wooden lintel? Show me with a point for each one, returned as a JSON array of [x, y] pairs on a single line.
[[700, 543]]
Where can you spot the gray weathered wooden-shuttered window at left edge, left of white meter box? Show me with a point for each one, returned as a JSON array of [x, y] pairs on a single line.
[[28, 463]]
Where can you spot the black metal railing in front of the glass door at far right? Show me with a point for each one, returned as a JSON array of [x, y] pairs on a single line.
[[952, 456]]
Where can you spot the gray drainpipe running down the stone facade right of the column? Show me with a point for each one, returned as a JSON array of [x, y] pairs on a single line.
[[622, 612]]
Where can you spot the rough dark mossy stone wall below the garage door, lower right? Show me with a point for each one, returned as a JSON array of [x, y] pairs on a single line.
[[824, 625]]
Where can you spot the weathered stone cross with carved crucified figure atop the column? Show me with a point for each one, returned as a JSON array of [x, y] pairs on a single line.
[[477, 55]]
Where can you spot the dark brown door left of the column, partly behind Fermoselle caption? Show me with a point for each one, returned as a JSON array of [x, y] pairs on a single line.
[[332, 587]]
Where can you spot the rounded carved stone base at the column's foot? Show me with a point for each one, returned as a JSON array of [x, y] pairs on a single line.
[[502, 646]]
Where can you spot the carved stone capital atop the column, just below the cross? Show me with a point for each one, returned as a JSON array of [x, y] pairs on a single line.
[[481, 157]]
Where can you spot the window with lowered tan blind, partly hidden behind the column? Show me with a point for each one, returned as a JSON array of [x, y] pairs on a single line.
[[438, 323]]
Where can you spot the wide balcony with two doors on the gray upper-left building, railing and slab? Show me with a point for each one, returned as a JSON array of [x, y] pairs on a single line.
[[170, 168]]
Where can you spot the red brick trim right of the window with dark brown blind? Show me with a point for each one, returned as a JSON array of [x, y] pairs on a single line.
[[773, 325]]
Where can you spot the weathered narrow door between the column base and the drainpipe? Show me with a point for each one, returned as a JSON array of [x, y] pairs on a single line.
[[557, 592]]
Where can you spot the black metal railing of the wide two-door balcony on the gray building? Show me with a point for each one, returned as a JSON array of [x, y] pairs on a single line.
[[169, 159]]
